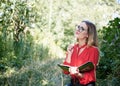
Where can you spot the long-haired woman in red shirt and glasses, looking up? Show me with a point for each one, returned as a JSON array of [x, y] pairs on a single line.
[[85, 50]]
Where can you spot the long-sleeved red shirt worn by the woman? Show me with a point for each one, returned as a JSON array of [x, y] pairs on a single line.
[[88, 54]]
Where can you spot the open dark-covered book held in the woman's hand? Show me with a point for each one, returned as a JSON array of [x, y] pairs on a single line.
[[83, 68]]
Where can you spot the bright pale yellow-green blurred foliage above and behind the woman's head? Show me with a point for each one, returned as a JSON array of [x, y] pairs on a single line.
[[60, 17]]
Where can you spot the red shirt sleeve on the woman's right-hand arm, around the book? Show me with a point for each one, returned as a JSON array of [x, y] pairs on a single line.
[[92, 56]]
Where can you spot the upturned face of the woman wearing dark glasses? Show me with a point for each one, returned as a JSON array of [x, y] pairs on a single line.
[[81, 31]]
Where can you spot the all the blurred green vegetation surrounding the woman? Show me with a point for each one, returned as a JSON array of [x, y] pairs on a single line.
[[34, 35]]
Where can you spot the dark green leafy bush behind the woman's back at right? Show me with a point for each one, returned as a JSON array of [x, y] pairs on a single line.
[[109, 65]]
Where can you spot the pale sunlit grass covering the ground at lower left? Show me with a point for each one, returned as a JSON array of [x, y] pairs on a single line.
[[37, 73]]
